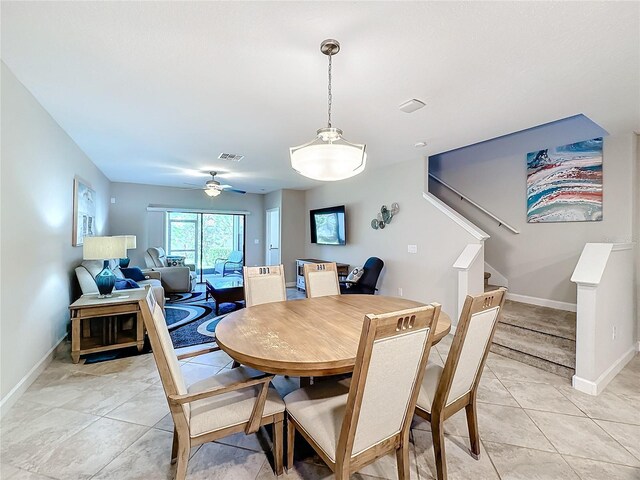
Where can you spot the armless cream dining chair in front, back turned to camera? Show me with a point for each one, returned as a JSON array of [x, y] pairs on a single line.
[[351, 423]]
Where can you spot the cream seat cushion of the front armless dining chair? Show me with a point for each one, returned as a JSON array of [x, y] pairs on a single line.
[[319, 411]]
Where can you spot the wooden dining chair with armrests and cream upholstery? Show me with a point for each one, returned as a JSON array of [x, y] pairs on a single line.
[[240, 400]]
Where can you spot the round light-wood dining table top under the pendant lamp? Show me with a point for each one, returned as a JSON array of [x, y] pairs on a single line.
[[311, 337]]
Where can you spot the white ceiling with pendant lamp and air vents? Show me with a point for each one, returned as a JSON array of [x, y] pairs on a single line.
[[153, 92]]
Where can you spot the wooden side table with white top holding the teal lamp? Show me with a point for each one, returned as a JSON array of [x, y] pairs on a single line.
[[90, 306]]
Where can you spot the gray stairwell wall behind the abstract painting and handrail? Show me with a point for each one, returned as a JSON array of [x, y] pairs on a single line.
[[540, 260]]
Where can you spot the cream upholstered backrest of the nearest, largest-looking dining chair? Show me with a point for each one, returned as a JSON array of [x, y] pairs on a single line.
[[390, 364]]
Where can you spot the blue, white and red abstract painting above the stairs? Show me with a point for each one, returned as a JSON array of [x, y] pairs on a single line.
[[564, 184]]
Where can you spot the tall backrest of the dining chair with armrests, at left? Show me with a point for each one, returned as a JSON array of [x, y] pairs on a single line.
[[163, 352]]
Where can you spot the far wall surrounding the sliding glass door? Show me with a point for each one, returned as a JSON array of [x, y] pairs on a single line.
[[129, 216]]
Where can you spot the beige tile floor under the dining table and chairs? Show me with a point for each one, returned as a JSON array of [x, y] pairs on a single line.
[[110, 421]]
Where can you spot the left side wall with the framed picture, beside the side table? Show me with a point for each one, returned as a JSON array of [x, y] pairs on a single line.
[[38, 164]]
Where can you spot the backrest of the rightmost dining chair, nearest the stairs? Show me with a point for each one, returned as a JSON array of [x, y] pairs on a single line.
[[470, 346]]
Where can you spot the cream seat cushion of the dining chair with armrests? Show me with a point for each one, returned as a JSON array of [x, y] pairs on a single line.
[[229, 409]]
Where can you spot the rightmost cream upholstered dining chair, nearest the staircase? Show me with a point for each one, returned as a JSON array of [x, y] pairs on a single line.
[[446, 390]]
